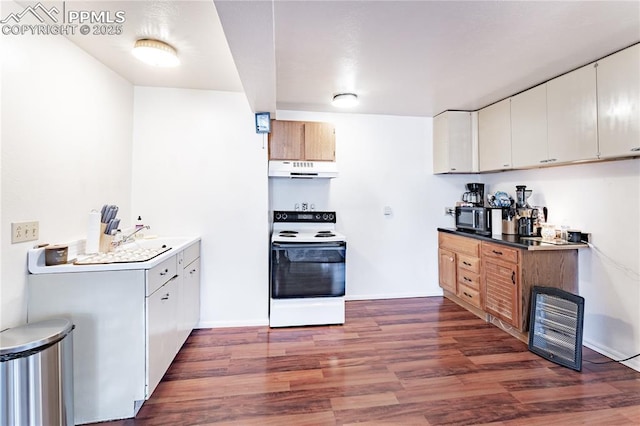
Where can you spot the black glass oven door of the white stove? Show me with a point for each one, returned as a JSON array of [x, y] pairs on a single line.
[[300, 270]]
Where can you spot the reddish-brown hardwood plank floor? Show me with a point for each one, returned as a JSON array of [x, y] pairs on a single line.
[[422, 361]]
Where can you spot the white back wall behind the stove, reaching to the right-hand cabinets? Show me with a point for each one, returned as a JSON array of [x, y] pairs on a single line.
[[382, 161]]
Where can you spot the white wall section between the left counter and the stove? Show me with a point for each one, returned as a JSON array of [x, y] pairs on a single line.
[[199, 168]]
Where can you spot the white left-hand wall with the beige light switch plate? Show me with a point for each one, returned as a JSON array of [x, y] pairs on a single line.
[[66, 148]]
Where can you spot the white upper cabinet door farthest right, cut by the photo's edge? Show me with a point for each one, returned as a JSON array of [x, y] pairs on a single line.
[[619, 103]]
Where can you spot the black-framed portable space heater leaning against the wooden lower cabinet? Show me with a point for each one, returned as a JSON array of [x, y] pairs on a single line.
[[555, 331]]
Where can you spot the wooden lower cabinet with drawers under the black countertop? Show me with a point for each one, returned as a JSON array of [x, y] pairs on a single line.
[[495, 280]]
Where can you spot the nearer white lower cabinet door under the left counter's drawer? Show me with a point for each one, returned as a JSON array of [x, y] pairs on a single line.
[[161, 332]]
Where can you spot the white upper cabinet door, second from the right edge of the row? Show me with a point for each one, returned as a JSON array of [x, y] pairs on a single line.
[[572, 116]]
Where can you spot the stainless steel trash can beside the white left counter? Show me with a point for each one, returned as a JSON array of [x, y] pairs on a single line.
[[36, 374]]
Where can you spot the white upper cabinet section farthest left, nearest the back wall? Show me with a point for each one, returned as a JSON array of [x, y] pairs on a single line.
[[452, 147]]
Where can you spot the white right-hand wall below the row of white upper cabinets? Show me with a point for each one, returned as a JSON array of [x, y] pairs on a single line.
[[603, 199]]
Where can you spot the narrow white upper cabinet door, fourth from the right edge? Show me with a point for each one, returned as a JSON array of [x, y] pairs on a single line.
[[494, 136]]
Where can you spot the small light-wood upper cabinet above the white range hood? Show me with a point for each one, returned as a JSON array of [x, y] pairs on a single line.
[[301, 140]]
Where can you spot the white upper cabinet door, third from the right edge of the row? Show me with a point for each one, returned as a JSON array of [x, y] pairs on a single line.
[[529, 128]]
